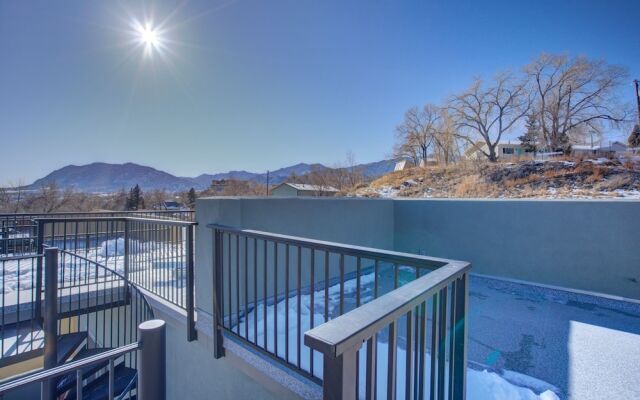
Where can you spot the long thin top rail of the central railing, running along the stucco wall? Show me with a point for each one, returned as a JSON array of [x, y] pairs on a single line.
[[395, 257]]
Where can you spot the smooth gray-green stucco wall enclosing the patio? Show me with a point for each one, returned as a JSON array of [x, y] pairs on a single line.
[[579, 244]]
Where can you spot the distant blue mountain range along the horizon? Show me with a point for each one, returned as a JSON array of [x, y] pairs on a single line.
[[102, 177]]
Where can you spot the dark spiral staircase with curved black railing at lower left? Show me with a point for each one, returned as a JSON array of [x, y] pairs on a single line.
[[97, 311]]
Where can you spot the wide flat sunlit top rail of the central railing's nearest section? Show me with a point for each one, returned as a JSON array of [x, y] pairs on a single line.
[[351, 329]]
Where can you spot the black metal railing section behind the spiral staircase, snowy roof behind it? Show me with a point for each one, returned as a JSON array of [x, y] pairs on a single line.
[[156, 255]]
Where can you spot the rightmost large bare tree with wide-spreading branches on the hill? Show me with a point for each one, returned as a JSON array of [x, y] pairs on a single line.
[[575, 96]]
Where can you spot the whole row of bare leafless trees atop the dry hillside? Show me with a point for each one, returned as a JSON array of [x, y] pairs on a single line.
[[564, 100]]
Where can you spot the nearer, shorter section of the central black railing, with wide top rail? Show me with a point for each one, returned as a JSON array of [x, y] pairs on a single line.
[[423, 354]]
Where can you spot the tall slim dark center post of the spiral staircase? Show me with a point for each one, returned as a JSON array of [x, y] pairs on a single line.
[[51, 318]]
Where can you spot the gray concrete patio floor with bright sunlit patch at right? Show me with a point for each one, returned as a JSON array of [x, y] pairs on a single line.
[[587, 347]]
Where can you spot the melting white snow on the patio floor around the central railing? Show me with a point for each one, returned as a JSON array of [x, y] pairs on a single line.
[[482, 384]]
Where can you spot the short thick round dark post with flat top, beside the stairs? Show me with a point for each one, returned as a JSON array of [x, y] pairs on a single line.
[[152, 360]]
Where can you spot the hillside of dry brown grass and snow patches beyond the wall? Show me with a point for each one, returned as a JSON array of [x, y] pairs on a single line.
[[558, 178]]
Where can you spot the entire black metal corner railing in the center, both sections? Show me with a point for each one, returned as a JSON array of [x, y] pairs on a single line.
[[286, 296]]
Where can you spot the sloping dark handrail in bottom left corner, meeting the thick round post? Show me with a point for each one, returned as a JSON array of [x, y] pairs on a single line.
[[69, 367]]
